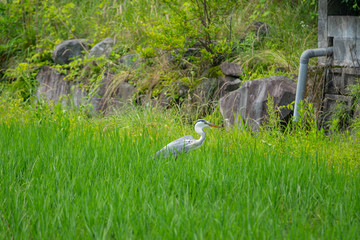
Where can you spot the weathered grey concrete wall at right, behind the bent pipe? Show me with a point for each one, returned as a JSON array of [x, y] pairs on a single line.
[[343, 34]]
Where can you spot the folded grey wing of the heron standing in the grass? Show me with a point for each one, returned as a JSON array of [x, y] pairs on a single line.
[[177, 146]]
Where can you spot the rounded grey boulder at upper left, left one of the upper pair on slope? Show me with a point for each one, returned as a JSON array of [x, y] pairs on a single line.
[[68, 50]]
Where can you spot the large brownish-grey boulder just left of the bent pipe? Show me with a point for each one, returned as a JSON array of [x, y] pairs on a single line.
[[250, 101]]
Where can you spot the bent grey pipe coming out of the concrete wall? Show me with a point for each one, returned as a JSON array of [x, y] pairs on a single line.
[[304, 61]]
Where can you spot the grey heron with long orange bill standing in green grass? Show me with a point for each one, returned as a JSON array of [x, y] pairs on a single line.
[[186, 143]]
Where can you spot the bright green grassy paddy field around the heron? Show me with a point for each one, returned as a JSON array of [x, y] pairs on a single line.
[[66, 176]]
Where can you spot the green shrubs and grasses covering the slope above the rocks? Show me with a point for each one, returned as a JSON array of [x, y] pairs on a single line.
[[154, 29]]
